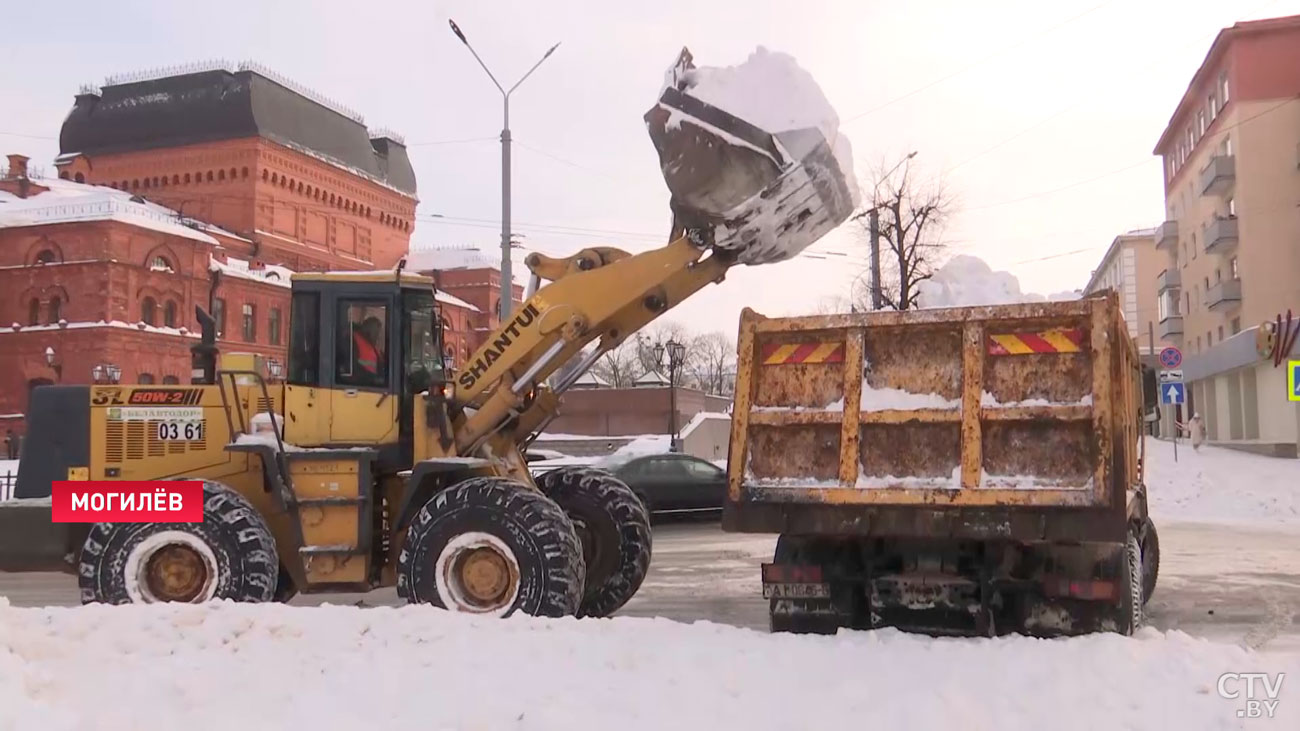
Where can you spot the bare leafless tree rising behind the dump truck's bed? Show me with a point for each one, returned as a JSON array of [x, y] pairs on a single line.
[[913, 213]]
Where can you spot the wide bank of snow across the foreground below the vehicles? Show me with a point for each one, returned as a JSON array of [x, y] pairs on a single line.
[[274, 667]]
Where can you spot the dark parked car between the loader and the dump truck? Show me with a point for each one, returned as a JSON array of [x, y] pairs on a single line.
[[674, 483]]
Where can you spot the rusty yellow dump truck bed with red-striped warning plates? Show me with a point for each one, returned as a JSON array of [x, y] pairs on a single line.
[[977, 421]]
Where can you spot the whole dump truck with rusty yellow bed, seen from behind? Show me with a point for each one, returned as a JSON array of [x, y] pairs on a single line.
[[950, 472]]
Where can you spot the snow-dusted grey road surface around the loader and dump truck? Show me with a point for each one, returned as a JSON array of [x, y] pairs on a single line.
[[1229, 583]]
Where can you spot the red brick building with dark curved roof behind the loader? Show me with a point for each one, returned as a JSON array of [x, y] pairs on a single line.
[[203, 188]]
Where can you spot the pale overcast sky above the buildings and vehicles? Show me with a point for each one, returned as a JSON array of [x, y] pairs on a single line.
[[1039, 116]]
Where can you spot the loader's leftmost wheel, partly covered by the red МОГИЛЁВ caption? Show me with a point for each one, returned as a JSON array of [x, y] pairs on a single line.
[[231, 556]]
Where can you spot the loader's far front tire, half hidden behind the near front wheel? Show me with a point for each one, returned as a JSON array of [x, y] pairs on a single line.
[[613, 526]]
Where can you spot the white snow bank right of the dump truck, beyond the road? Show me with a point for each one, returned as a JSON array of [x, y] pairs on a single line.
[[1221, 486]]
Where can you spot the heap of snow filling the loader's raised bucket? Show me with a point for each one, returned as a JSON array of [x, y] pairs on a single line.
[[773, 93]]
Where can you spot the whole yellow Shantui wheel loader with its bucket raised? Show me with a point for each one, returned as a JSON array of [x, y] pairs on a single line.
[[372, 465]]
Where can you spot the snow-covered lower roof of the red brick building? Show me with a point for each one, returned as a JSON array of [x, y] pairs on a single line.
[[70, 202]]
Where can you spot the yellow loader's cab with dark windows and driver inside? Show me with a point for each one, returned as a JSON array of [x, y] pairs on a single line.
[[362, 347]]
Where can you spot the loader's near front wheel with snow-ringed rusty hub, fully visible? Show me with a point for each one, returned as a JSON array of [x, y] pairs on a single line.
[[492, 547]]
